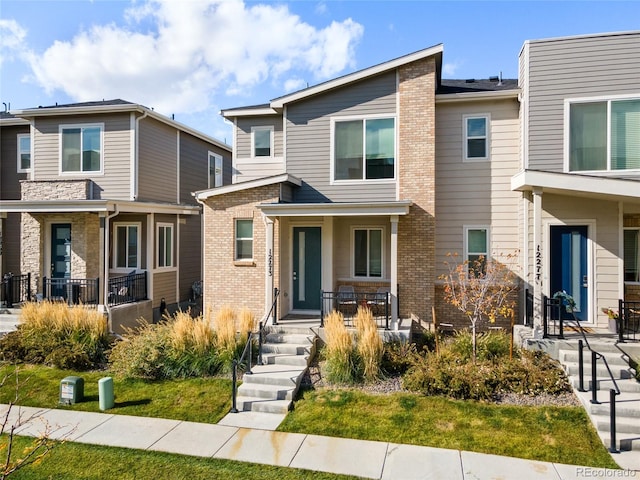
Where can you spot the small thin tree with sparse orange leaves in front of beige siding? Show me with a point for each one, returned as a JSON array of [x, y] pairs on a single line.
[[482, 289]]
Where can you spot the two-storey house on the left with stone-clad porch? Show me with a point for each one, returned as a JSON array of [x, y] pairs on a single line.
[[96, 204]]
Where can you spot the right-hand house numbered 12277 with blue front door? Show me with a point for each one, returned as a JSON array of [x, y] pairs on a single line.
[[580, 174]]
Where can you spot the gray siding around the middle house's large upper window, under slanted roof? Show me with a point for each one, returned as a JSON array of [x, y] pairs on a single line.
[[308, 131]]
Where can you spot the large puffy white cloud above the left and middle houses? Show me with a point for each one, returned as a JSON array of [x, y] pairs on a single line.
[[192, 50]]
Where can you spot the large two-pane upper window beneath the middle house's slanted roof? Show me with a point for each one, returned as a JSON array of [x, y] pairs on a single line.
[[364, 149]]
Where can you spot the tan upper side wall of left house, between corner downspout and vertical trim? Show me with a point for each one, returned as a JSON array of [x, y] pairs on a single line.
[[157, 162]]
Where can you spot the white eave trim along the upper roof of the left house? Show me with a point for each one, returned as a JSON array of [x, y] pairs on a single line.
[[120, 108]]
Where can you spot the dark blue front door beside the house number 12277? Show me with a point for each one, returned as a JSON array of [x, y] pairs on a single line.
[[569, 266]]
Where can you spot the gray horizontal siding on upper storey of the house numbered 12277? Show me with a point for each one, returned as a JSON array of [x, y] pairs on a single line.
[[573, 68]]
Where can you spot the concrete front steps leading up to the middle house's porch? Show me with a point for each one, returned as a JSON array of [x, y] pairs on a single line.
[[271, 387]]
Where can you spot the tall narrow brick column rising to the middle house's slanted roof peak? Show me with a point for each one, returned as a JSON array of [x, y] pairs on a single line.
[[416, 231]]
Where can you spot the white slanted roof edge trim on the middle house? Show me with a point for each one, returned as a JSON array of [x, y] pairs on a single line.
[[354, 77]]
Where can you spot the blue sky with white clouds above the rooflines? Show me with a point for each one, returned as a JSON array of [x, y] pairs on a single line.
[[192, 58]]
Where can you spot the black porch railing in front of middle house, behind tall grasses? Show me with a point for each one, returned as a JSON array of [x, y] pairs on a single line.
[[347, 303]]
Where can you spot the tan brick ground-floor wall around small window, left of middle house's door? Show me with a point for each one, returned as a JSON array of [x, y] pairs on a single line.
[[227, 282]]
